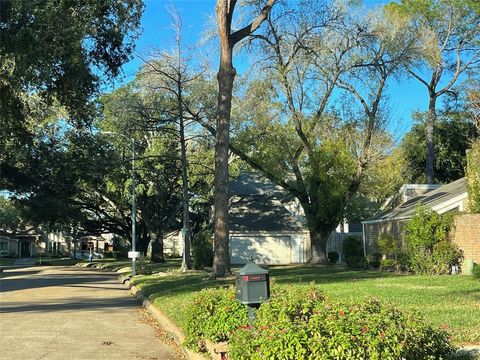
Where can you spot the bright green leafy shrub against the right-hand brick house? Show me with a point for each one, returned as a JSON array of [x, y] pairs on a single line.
[[428, 245]]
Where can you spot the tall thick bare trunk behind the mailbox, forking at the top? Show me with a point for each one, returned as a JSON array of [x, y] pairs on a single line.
[[226, 75]]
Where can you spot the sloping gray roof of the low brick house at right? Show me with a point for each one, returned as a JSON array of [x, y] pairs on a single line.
[[429, 200]]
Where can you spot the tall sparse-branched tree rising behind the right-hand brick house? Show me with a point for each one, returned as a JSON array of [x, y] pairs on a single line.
[[448, 32]]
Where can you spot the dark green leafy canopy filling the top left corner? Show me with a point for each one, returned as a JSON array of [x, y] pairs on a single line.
[[60, 49]]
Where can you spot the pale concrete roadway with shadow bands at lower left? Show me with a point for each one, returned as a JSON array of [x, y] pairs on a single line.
[[73, 313]]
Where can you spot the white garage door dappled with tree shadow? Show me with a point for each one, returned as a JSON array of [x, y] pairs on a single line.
[[272, 250]]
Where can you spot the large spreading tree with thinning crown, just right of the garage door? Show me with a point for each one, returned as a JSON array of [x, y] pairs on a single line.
[[314, 52]]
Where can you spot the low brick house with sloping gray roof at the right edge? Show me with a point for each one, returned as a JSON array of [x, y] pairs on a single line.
[[442, 199]]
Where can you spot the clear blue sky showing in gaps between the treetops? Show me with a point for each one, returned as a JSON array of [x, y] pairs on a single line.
[[405, 96]]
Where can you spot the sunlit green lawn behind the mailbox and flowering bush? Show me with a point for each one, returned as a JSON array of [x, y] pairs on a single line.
[[450, 300]]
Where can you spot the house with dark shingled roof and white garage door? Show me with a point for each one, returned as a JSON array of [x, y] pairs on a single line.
[[267, 224]]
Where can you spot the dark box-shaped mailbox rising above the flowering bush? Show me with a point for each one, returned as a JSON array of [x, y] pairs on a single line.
[[253, 284]]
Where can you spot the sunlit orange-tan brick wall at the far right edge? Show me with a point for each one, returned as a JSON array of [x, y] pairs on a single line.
[[467, 236]]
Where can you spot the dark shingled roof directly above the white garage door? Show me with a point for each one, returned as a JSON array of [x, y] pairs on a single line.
[[260, 213]]
